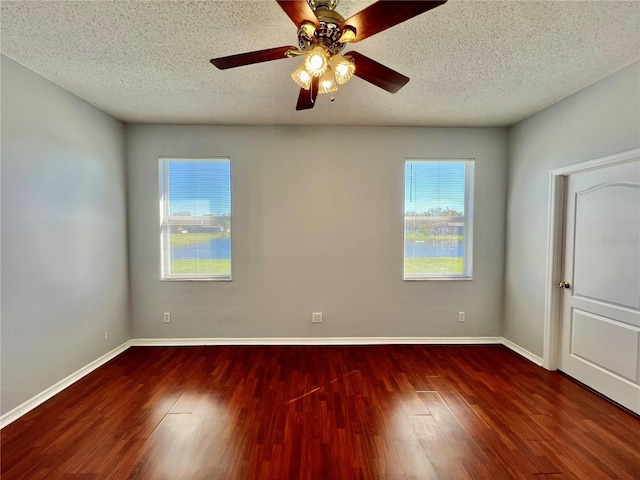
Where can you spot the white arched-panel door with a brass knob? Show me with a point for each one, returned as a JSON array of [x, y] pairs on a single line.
[[600, 340]]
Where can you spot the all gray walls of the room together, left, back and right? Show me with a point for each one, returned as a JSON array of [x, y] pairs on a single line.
[[317, 227]]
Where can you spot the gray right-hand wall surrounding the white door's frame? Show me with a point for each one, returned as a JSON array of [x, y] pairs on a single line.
[[599, 120]]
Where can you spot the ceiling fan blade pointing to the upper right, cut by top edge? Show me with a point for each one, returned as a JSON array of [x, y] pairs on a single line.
[[387, 13]]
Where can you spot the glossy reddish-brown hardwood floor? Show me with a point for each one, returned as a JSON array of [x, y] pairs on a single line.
[[331, 413]]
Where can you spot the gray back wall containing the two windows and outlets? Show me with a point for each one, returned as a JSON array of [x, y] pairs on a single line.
[[317, 226]]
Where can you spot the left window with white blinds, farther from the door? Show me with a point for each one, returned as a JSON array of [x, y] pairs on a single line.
[[195, 218]]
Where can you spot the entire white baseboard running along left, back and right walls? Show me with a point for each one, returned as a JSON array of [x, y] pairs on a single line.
[[42, 397]]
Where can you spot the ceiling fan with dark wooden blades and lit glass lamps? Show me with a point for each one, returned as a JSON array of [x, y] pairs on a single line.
[[323, 33]]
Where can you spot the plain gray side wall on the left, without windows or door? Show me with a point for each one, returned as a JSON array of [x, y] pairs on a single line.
[[64, 252]]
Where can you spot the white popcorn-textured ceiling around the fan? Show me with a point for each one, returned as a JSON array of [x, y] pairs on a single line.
[[471, 63]]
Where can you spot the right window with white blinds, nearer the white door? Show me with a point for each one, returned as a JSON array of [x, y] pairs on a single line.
[[438, 219]]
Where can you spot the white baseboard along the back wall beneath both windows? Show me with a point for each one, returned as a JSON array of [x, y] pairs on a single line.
[[174, 342]]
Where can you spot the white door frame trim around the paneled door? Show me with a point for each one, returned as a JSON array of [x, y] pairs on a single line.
[[555, 246]]
